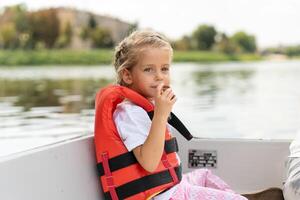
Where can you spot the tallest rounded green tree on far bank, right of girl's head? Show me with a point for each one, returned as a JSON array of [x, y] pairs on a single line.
[[204, 36]]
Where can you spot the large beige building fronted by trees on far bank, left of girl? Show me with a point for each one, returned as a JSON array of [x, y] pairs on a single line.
[[59, 28]]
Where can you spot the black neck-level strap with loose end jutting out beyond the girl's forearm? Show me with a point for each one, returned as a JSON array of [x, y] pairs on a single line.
[[177, 124]]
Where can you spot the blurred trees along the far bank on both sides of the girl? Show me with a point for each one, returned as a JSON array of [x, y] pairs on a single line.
[[43, 29]]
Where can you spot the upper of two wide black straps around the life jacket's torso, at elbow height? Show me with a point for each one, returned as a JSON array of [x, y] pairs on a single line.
[[128, 158]]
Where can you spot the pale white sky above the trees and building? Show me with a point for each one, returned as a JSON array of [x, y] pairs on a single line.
[[272, 22]]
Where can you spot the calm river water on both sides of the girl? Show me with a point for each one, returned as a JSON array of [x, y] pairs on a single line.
[[256, 100]]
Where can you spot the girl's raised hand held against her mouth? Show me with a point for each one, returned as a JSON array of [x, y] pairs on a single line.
[[164, 100]]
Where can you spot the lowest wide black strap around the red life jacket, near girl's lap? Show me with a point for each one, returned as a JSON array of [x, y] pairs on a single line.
[[144, 183]]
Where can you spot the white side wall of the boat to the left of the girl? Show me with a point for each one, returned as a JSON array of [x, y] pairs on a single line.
[[61, 171]]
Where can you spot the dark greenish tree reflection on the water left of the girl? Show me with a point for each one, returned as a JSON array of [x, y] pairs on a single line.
[[72, 94]]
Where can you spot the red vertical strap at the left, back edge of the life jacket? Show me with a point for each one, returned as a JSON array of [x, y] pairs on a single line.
[[109, 179]]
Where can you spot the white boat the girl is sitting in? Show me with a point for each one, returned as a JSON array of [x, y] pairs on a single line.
[[67, 170]]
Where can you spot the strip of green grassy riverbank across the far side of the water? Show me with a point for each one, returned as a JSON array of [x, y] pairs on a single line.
[[104, 56]]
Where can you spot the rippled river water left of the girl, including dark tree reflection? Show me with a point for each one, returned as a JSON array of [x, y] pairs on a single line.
[[36, 112]]
